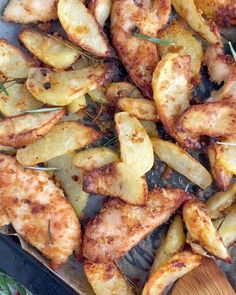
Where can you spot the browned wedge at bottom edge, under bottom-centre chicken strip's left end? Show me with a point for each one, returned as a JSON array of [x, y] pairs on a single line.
[[106, 278]]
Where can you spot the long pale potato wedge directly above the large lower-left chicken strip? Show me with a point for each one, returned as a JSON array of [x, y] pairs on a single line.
[[63, 138]]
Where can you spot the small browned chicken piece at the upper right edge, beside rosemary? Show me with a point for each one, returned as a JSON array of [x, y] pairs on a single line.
[[219, 65]]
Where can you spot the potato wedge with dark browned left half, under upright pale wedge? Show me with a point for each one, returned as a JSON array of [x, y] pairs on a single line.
[[117, 180]]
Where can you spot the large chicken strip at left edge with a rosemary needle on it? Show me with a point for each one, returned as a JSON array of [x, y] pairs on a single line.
[[38, 211]]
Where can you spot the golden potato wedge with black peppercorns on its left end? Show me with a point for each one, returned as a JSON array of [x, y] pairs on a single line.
[[63, 87]]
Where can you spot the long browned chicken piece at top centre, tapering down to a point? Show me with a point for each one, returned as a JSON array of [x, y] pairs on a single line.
[[138, 56]]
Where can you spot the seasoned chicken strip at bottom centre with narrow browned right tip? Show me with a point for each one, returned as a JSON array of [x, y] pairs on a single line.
[[121, 226]]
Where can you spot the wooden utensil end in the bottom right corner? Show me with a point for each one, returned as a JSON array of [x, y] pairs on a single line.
[[207, 279]]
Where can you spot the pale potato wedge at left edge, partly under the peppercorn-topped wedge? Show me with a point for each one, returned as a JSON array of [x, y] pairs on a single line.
[[18, 100]]
